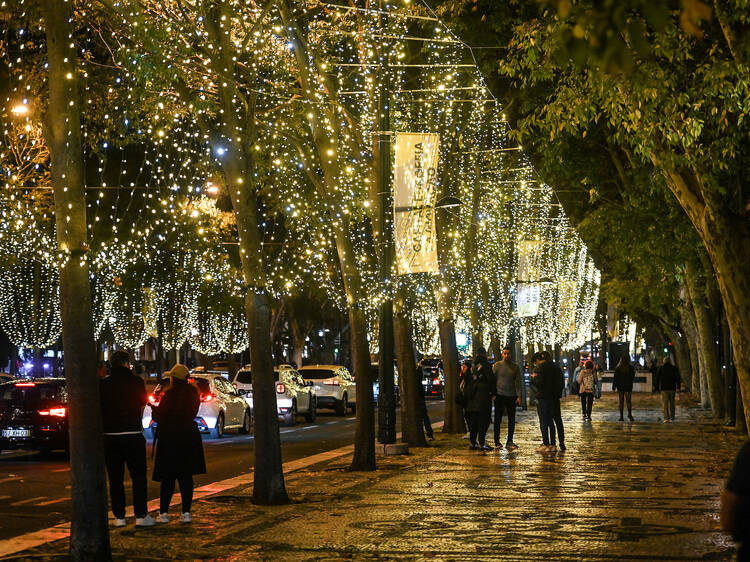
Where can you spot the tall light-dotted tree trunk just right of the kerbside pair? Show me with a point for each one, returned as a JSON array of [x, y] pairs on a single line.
[[238, 169]]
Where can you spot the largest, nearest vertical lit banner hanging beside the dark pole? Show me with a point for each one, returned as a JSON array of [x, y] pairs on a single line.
[[414, 197]]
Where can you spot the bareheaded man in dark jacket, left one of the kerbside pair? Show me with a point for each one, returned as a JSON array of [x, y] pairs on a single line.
[[123, 397]]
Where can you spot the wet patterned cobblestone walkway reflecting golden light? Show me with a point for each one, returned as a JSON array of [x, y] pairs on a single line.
[[622, 491]]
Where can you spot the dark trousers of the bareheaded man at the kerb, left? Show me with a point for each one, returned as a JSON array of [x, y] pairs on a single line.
[[119, 451]]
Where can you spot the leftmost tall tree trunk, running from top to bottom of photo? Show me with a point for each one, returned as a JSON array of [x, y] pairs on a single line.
[[89, 533]]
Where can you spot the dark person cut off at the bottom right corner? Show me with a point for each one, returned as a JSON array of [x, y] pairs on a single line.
[[735, 503]]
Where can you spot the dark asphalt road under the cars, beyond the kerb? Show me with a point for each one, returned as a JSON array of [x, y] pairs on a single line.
[[35, 491]]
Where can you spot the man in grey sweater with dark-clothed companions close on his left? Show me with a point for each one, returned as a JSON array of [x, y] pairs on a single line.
[[484, 386]]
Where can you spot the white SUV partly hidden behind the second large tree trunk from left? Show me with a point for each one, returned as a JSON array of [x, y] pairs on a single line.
[[293, 394]]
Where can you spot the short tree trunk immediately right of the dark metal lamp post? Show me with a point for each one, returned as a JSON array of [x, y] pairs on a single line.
[[412, 431]]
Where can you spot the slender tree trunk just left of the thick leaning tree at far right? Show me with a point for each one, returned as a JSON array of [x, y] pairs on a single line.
[[706, 339]]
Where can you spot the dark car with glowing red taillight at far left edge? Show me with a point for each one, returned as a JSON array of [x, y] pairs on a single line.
[[34, 415]]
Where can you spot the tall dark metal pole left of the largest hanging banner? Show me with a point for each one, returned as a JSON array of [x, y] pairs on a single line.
[[386, 396]]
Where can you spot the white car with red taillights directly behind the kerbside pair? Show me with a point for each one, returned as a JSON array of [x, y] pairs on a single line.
[[222, 407]]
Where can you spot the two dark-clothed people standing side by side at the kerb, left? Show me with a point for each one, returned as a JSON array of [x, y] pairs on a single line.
[[179, 449]]
